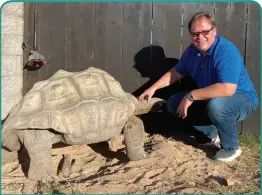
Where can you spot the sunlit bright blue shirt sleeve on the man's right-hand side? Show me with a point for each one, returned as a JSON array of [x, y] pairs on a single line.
[[229, 66]]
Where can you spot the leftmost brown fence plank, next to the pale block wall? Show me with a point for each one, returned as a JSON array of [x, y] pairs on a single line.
[[29, 77]]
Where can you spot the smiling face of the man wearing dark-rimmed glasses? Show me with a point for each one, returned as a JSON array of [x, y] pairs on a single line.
[[203, 34]]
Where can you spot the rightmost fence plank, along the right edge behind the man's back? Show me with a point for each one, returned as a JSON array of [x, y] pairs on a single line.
[[253, 52]]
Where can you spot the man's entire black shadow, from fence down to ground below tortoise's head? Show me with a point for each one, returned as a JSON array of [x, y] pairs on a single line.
[[151, 62]]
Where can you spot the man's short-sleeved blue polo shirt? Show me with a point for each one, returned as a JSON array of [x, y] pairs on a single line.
[[223, 63]]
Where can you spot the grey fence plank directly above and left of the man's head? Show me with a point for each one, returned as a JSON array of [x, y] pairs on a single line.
[[189, 9]]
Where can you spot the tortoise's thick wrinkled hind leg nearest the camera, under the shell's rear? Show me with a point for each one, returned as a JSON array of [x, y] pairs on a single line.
[[38, 144]]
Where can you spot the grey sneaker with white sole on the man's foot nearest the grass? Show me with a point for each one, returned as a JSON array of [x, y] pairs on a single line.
[[228, 155]]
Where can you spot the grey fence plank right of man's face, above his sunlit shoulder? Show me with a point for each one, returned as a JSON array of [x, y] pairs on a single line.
[[234, 26]]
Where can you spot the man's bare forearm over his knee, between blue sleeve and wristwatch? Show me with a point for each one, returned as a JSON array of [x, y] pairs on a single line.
[[215, 90]]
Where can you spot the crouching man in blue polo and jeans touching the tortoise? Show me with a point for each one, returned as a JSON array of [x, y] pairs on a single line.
[[224, 94]]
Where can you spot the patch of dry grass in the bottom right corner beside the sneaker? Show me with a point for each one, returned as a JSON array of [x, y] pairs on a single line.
[[246, 170]]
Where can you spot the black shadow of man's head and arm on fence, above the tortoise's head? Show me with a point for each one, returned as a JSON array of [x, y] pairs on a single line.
[[151, 62]]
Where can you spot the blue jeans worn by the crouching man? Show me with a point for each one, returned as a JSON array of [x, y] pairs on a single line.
[[219, 114]]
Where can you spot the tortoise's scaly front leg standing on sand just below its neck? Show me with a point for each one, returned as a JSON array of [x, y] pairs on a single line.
[[134, 138]]
